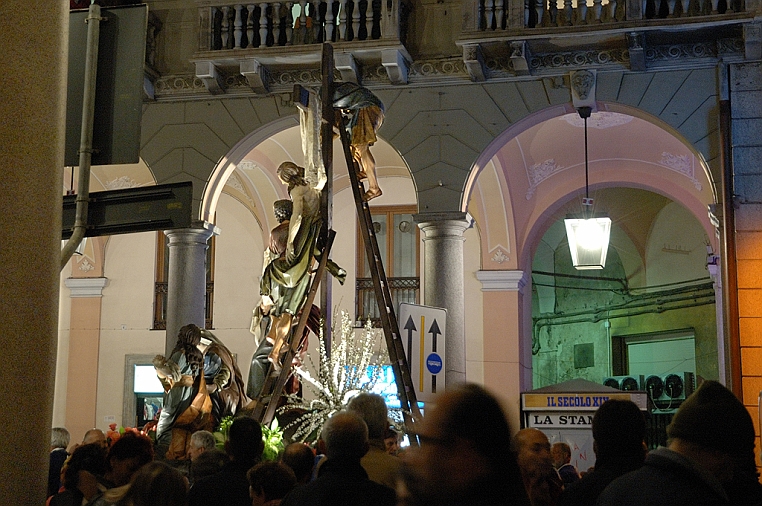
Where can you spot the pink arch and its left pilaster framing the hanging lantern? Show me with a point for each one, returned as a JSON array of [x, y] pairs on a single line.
[[533, 203]]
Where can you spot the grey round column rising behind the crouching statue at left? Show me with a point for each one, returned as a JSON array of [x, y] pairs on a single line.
[[186, 283]]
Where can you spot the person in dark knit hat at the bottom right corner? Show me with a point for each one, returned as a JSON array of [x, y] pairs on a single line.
[[710, 448]]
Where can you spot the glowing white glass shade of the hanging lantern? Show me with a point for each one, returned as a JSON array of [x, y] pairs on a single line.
[[588, 241]]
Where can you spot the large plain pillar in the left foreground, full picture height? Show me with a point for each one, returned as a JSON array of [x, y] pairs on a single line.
[[32, 140]]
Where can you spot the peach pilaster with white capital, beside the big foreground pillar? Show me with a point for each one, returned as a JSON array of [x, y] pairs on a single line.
[[84, 347]]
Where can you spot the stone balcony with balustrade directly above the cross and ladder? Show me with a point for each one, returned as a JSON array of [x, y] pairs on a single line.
[[259, 39]]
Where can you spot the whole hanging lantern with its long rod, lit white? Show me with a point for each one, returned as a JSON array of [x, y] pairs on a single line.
[[588, 235]]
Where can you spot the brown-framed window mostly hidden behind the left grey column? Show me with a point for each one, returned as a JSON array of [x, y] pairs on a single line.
[[162, 276]]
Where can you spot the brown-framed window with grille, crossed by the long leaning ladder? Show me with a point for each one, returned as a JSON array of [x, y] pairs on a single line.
[[399, 244]]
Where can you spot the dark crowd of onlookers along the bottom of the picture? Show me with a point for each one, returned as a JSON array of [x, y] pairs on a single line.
[[467, 455]]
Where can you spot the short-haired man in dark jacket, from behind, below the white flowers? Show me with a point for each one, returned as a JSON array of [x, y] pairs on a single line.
[[341, 479]]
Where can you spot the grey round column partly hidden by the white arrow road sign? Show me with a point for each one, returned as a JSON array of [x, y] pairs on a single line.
[[443, 282]]
